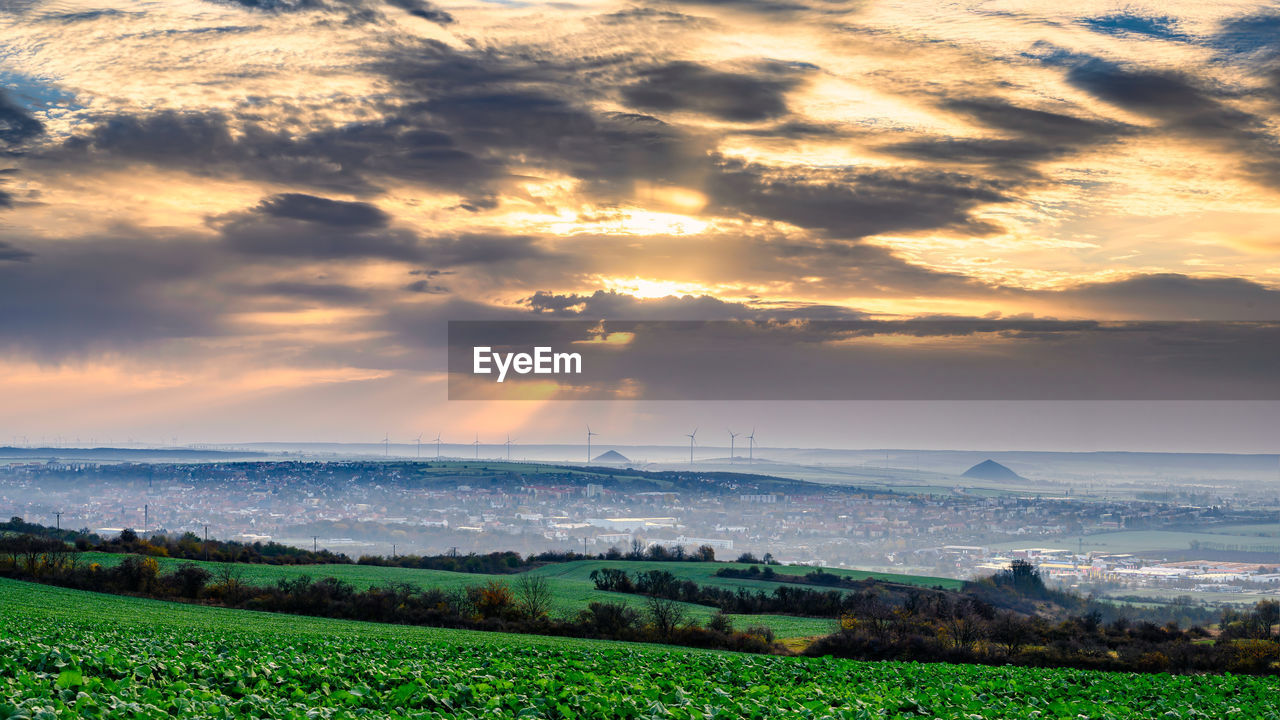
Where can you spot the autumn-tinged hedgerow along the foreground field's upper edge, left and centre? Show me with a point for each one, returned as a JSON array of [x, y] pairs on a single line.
[[523, 605]]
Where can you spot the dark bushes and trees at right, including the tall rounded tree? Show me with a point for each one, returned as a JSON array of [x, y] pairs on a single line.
[[986, 623]]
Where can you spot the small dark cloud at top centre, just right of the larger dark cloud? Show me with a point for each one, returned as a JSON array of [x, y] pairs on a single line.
[[698, 89]]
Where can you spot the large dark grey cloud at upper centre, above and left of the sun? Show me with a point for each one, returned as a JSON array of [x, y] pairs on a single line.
[[523, 112]]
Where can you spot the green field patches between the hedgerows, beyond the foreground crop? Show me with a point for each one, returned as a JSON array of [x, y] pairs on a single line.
[[573, 593]]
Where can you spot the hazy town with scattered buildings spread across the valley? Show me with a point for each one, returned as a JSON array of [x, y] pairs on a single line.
[[386, 508]]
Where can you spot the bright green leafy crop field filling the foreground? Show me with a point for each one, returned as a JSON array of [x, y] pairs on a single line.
[[68, 654]]
